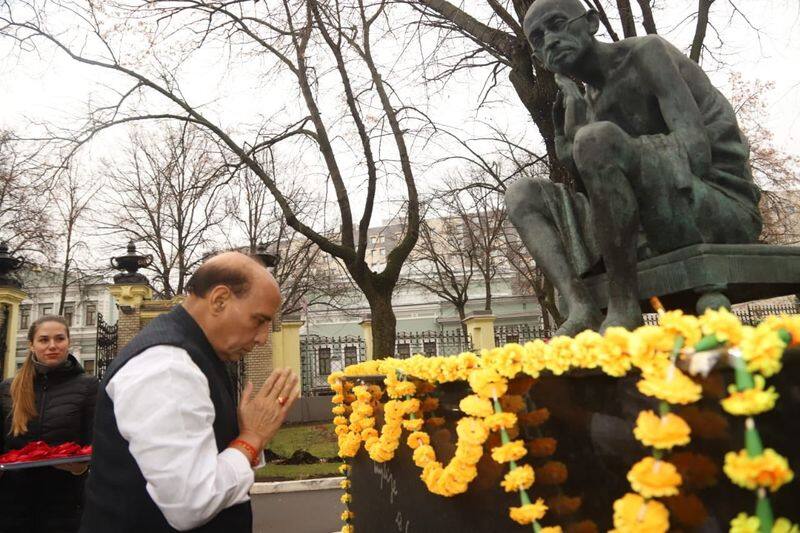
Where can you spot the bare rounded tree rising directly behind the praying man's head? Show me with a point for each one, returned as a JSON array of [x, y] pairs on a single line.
[[167, 196]]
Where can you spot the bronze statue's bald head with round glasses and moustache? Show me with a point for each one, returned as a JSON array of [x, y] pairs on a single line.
[[560, 32]]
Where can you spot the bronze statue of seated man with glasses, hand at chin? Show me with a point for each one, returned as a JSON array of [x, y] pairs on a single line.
[[658, 152]]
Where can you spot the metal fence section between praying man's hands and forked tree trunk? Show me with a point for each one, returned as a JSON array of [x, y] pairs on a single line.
[[320, 356]]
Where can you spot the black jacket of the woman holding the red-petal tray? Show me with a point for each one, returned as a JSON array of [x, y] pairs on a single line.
[[47, 499]]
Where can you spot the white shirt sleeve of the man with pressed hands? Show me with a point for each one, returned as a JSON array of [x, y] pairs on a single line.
[[163, 409]]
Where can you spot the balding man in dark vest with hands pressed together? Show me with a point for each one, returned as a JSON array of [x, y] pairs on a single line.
[[171, 450]]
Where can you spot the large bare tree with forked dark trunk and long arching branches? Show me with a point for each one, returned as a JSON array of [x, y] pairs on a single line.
[[312, 41]]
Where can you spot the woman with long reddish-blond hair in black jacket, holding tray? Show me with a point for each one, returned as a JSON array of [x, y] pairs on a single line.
[[50, 399]]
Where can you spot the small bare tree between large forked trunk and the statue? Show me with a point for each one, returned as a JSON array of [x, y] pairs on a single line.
[[443, 261]]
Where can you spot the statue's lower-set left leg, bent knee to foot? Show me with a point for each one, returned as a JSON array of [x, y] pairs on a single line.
[[526, 209]]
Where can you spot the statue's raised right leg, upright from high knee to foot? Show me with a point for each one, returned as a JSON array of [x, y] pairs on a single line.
[[606, 156]]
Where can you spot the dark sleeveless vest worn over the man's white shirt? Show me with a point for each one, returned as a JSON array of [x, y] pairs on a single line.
[[116, 498]]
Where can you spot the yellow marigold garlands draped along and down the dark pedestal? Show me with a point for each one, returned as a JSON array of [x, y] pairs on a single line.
[[648, 348]]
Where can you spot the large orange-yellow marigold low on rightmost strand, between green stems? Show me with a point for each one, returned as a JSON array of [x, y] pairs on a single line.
[[769, 470]]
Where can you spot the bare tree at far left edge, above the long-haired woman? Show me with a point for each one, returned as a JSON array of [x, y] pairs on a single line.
[[24, 218]]
